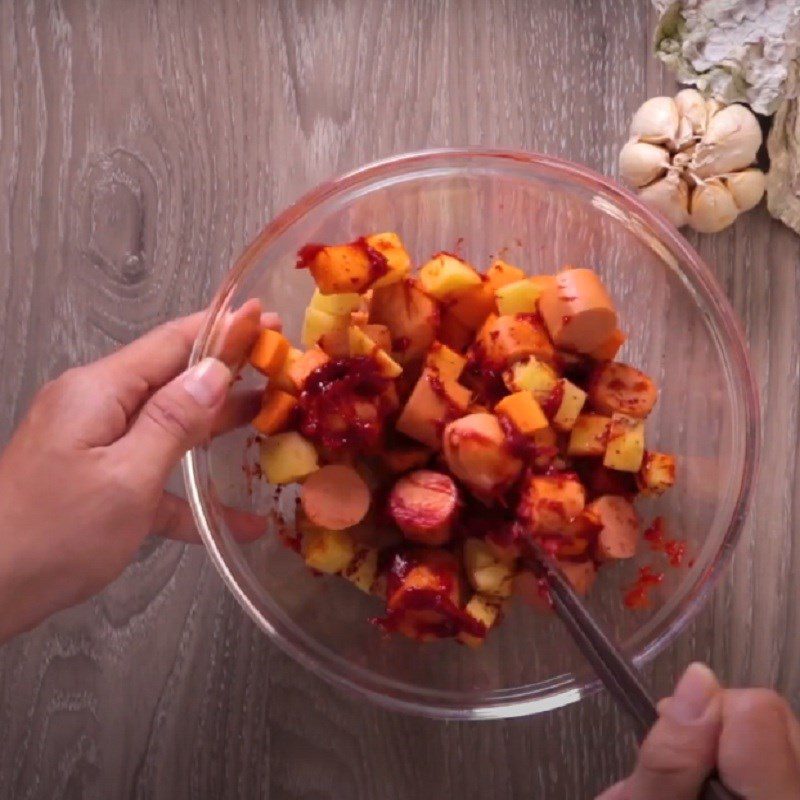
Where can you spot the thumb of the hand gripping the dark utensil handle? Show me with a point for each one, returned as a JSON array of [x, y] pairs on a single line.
[[680, 750]]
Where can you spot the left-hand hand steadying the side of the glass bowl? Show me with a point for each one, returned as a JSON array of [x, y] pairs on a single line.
[[82, 480]]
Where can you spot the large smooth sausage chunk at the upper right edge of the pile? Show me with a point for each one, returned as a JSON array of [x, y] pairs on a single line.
[[578, 311]]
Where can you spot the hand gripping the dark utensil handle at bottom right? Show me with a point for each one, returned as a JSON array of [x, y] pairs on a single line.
[[750, 735]]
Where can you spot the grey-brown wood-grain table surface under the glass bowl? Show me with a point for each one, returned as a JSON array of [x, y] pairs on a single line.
[[142, 144]]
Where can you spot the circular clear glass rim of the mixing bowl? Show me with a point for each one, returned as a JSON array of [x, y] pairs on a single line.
[[410, 699]]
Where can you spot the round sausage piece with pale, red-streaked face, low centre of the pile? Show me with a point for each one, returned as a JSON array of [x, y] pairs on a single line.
[[424, 504]]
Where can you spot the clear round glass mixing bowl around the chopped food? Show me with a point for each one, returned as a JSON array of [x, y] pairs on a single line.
[[539, 213]]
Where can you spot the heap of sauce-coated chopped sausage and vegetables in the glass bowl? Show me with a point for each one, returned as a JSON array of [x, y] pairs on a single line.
[[435, 421]]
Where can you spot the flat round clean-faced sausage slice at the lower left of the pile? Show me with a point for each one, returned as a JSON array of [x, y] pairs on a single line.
[[335, 497]]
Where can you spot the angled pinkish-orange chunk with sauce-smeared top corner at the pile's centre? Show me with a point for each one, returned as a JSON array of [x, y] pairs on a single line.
[[432, 404]]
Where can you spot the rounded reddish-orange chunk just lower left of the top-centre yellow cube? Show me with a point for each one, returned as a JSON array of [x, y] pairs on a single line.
[[411, 316]]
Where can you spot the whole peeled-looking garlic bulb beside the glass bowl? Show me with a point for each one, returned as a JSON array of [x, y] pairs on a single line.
[[691, 159]]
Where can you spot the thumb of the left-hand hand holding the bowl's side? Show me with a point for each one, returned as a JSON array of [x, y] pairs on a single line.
[[177, 417]]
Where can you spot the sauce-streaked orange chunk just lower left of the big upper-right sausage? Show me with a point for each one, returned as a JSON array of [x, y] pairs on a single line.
[[503, 340]]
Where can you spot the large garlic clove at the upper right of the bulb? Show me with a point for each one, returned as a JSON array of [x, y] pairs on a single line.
[[730, 143]]
